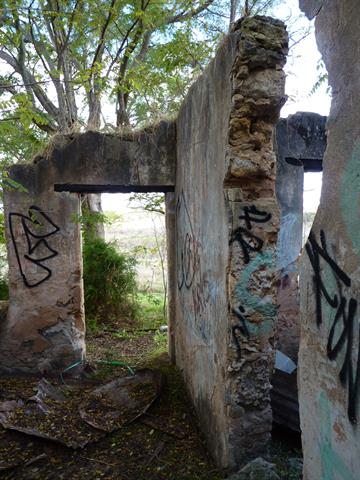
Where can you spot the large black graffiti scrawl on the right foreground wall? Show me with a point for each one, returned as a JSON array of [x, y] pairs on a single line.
[[344, 334]]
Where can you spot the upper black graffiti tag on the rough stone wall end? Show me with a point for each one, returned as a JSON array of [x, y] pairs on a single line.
[[243, 235]]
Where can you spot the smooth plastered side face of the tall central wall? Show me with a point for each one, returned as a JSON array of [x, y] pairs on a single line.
[[201, 327]]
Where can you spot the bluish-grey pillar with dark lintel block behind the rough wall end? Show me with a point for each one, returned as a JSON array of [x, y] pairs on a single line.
[[300, 143]]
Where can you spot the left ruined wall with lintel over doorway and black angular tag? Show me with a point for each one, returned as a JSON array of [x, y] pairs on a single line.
[[44, 329]]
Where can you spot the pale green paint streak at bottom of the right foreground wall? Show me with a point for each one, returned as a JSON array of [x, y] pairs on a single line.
[[330, 459]]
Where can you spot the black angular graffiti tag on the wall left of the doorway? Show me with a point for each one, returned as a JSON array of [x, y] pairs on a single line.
[[37, 227]]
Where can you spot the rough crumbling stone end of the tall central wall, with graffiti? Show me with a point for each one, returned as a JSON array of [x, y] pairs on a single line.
[[258, 87]]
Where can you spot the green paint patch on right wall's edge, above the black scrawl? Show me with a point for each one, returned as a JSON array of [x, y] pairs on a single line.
[[350, 190]]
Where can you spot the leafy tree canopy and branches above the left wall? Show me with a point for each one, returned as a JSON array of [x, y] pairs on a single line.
[[74, 64]]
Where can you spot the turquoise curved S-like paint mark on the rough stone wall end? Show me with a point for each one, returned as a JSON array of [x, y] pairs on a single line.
[[249, 301]]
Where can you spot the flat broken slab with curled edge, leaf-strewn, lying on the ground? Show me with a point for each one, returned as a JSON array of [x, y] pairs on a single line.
[[51, 414]]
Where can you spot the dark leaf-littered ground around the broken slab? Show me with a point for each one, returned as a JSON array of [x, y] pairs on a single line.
[[160, 440]]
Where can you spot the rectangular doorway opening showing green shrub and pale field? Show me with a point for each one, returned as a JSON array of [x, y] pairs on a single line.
[[125, 279]]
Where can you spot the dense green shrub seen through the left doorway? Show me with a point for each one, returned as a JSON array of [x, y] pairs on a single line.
[[109, 283]]
